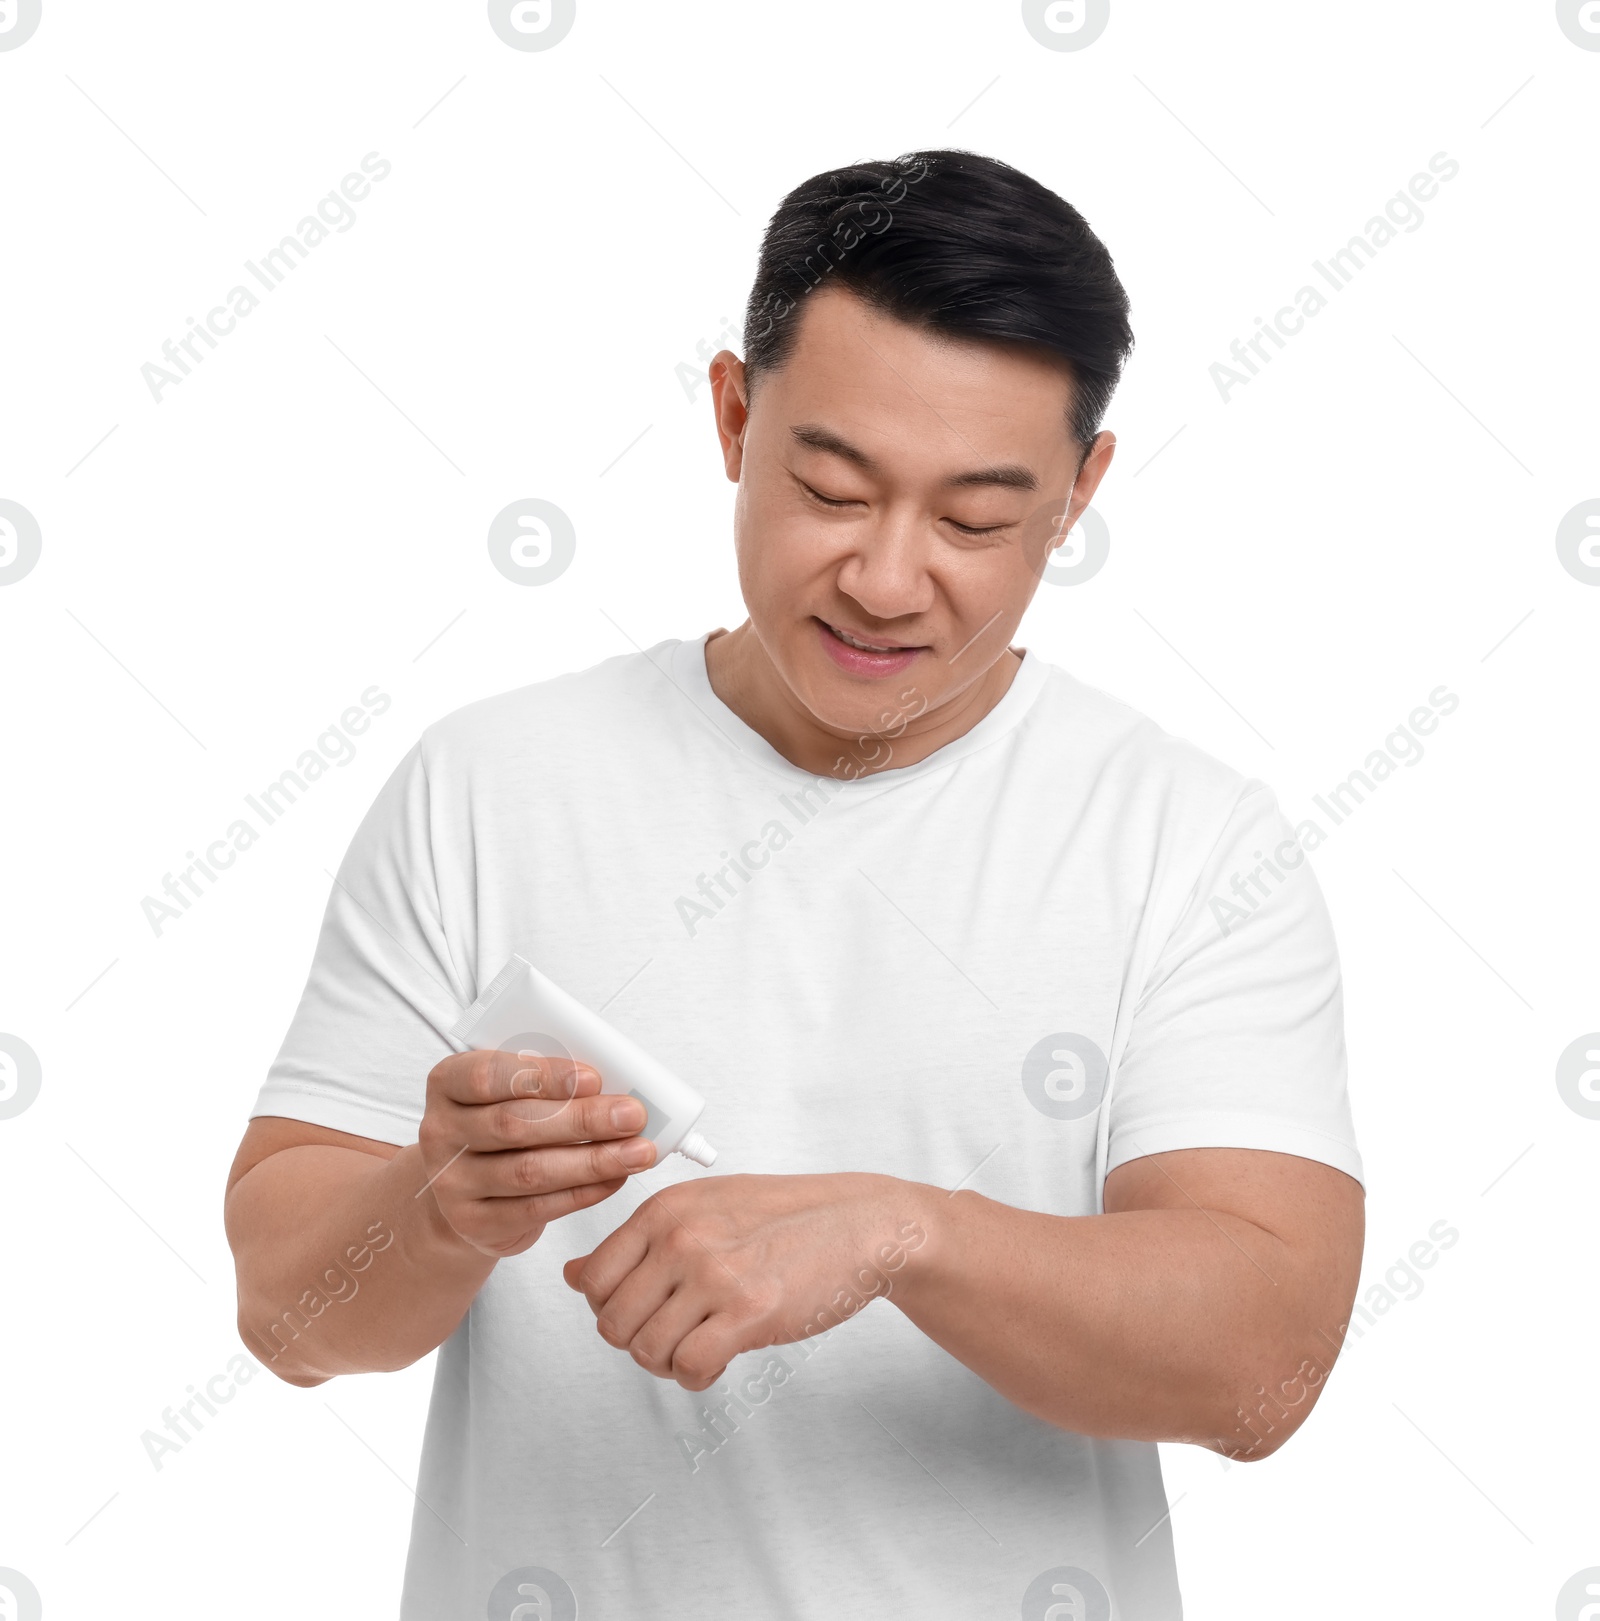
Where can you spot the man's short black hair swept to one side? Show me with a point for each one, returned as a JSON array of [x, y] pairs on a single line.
[[956, 244]]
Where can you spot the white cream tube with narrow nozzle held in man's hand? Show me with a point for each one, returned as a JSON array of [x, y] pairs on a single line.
[[521, 1011]]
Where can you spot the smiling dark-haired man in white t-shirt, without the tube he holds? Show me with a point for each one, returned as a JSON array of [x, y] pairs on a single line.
[[1007, 1007]]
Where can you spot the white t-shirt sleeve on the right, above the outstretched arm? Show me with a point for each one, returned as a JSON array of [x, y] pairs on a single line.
[[1238, 1038]]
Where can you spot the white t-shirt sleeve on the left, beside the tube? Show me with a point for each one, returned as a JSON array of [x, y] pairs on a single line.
[[383, 986]]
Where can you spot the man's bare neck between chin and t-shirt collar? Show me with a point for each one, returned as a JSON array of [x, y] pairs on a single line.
[[747, 680]]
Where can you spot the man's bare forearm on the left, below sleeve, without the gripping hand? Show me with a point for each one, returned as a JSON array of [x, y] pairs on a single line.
[[344, 1267]]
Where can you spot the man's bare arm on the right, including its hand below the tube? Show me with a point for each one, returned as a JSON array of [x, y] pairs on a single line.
[[1205, 1306]]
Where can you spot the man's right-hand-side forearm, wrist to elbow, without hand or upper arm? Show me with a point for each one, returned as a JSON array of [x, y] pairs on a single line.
[[1157, 1325]]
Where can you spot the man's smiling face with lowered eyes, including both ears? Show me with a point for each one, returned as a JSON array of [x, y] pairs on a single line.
[[902, 490]]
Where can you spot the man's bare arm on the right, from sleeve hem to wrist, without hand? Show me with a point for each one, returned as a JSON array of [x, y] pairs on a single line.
[[1205, 1306]]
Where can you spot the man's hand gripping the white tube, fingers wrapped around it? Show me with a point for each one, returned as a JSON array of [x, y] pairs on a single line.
[[511, 1142]]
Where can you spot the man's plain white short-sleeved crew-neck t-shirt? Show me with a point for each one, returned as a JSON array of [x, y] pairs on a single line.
[[1059, 943]]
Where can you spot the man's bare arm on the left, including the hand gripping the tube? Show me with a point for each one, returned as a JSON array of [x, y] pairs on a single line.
[[359, 1257]]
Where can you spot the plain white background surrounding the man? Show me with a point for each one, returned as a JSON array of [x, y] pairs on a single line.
[[1291, 575]]
